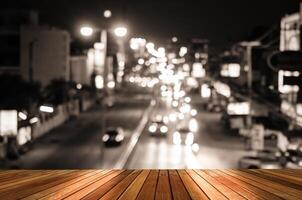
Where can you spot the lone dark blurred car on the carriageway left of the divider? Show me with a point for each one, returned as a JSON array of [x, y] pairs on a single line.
[[113, 137]]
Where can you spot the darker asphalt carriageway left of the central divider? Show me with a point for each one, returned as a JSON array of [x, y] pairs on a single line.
[[77, 143]]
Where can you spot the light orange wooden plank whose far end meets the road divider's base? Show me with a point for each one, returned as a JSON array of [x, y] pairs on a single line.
[[94, 185]]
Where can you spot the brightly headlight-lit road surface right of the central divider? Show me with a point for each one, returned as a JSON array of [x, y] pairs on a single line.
[[217, 148]]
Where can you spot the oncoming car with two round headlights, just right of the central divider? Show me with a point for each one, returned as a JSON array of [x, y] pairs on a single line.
[[158, 127]]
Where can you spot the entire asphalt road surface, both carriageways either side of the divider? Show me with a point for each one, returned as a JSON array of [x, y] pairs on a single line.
[[77, 143]]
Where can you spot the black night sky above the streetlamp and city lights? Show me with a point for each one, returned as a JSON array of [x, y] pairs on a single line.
[[218, 20]]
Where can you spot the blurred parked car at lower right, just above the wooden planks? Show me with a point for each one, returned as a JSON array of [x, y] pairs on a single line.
[[265, 159]]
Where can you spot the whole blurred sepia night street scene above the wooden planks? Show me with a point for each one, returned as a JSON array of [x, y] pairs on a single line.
[[150, 85]]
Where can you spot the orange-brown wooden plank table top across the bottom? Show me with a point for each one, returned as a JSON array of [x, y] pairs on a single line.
[[151, 184]]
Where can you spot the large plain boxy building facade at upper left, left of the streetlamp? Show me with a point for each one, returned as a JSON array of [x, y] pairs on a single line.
[[45, 54]]
